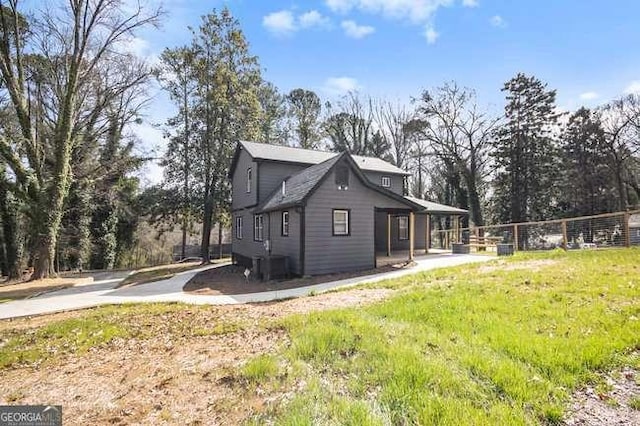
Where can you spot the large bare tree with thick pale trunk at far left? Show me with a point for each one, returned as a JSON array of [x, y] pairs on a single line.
[[71, 45]]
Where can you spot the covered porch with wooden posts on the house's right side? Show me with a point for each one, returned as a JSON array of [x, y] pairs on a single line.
[[402, 234]]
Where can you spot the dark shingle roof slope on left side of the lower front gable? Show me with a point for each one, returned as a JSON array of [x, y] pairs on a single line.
[[298, 186]]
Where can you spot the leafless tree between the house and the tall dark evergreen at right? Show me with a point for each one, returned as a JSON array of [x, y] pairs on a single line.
[[459, 134]]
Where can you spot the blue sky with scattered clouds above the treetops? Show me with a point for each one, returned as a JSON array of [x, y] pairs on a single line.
[[588, 50]]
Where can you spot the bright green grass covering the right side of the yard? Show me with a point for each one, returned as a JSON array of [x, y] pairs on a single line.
[[468, 345]]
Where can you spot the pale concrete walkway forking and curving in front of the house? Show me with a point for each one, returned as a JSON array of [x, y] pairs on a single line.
[[104, 292]]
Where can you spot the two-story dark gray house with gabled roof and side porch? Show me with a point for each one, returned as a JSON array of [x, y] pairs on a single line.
[[325, 212]]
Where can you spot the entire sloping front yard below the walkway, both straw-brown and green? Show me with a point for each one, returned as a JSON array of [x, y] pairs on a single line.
[[507, 342]]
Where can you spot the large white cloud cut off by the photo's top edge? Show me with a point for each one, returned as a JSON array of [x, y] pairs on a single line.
[[417, 12]]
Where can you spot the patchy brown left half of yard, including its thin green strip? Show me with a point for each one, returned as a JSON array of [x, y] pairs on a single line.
[[151, 363]]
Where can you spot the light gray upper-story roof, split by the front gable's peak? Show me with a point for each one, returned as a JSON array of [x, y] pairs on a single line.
[[263, 151]]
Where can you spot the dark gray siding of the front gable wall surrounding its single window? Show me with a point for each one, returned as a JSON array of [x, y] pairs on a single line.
[[326, 253]]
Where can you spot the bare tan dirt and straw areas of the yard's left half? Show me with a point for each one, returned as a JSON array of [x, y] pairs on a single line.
[[167, 378]]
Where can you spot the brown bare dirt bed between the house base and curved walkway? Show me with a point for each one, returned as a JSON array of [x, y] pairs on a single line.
[[230, 280]]
